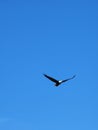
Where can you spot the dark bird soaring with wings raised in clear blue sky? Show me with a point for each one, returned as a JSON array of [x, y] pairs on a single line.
[[58, 82]]
